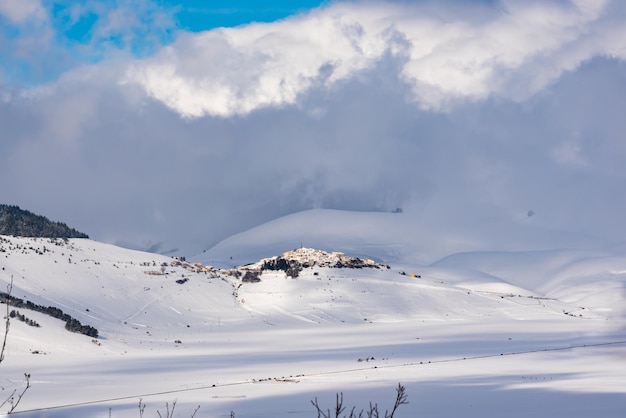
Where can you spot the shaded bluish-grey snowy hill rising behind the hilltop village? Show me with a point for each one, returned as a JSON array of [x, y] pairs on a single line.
[[409, 237]]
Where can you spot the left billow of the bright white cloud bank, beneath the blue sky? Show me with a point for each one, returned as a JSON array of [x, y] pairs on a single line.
[[234, 71]]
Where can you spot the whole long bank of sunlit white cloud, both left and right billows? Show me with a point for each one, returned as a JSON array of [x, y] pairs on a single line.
[[512, 52]]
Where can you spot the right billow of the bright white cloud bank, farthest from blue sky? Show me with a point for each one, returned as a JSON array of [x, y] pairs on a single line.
[[497, 58]]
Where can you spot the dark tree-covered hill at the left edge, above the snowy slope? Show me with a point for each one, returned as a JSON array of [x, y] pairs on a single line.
[[22, 223]]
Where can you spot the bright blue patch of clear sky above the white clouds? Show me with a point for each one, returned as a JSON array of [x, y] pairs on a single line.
[[83, 31]]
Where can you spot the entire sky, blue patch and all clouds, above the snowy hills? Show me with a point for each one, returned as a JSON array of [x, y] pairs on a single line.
[[138, 122]]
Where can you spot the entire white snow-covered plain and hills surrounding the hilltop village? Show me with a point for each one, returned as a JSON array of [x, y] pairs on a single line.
[[532, 326]]
